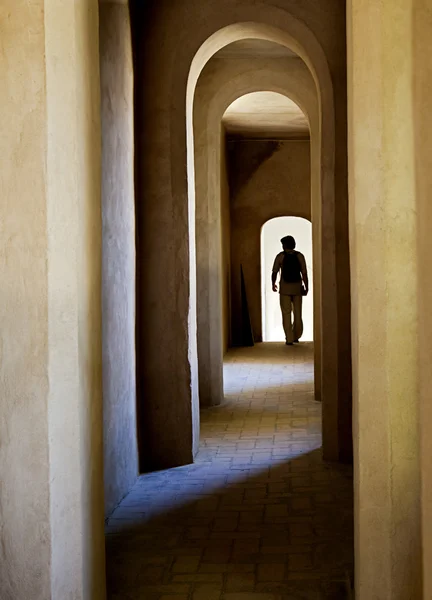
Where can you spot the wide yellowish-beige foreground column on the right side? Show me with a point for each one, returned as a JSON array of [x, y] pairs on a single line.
[[383, 235]]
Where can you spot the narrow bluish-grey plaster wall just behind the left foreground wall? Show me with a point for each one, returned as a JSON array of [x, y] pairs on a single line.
[[118, 253]]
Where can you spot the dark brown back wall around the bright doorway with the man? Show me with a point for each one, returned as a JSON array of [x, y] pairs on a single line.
[[268, 179]]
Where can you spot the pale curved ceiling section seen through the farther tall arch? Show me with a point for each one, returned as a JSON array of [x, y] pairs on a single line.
[[265, 115]]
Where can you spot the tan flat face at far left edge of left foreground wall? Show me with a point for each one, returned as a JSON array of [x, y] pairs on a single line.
[[24, 466]]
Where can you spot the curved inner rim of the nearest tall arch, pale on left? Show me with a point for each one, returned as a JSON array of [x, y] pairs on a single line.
[[297, 37]]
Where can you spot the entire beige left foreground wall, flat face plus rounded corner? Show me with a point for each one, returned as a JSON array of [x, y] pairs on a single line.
[[51, 496]]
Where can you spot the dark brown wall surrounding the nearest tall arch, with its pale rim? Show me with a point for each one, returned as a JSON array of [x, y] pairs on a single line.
[[184, 36]]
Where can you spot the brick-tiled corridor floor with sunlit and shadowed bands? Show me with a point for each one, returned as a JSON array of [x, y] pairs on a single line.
[[259, 516]]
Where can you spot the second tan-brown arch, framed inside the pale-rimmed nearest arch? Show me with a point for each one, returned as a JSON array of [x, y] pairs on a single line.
[[210, 105]]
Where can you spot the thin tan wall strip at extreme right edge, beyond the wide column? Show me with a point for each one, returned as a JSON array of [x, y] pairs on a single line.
[[422, 90]]
